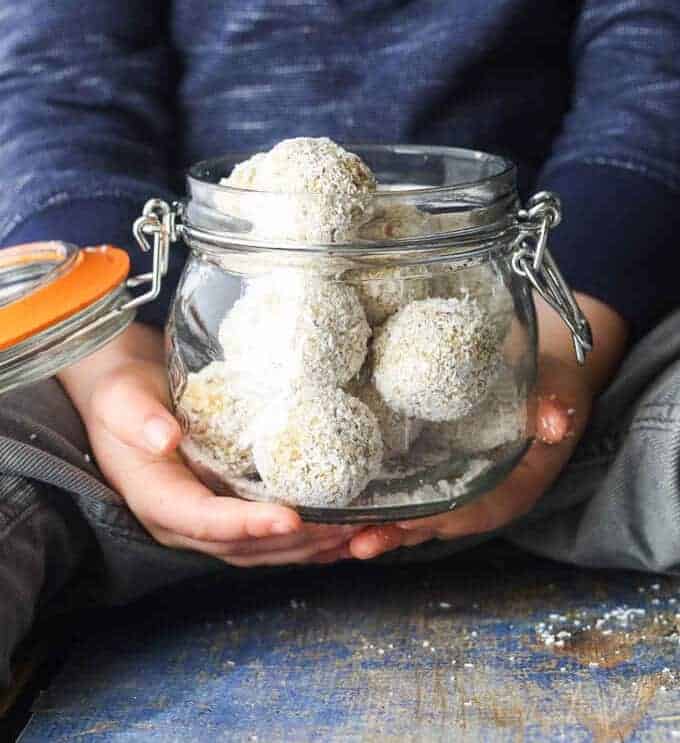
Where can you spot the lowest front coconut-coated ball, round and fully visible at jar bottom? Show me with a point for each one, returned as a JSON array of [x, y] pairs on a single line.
[[318, 447]]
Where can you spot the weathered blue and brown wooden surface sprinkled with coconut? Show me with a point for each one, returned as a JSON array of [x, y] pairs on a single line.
[[450, 651]]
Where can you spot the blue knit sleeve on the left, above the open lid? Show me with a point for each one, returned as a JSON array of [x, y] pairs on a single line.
[[86, 124]]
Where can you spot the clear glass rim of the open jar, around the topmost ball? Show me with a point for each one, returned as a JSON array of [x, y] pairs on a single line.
[[438, 193]]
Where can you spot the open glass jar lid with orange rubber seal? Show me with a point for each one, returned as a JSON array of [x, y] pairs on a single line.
[[58, 303]]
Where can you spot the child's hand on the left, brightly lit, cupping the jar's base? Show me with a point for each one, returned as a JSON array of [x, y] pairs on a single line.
[[121, 394]]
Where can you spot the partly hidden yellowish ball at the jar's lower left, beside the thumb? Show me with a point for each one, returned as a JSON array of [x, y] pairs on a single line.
[[215, 414]]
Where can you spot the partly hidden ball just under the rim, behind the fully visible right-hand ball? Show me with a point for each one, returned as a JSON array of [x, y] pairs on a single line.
[[384, 290]]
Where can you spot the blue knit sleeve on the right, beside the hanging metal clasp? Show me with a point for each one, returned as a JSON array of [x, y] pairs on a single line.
[[616, 162]]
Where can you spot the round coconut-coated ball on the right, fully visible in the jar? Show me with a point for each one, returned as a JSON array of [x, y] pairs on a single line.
[[436, 358]]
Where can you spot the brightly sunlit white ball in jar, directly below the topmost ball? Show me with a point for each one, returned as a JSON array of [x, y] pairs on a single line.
[[292, 328]]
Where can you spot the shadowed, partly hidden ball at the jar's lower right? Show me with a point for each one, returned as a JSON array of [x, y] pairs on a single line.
[[500, 419]]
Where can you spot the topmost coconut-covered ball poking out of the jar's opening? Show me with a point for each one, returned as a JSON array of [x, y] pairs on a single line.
[[324, 193]]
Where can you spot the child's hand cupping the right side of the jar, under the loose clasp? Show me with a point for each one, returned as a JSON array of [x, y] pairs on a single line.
[[564, 395]]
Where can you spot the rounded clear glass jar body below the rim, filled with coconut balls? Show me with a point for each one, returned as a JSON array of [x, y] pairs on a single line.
[[353, 388]]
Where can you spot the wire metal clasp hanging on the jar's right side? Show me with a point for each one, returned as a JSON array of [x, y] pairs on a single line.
[[532, 260]]
